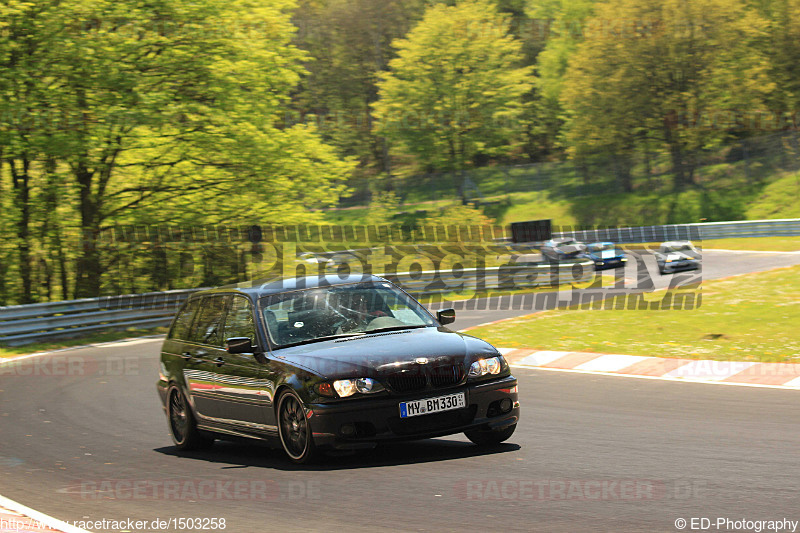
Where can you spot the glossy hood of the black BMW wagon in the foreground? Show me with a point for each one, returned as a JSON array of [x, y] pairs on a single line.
[[386, 353]]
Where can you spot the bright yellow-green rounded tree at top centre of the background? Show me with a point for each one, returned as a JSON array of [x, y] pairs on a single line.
[[453, 96]]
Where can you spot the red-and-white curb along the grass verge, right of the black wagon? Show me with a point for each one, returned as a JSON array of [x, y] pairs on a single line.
[[742, 373]]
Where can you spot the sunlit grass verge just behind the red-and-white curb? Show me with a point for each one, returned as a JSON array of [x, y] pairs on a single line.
[[745, 318]]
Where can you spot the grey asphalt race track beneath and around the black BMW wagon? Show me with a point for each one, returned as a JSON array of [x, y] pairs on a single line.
[[83, 437]]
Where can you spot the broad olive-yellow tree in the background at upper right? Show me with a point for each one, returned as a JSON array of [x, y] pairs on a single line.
[[648, 79]]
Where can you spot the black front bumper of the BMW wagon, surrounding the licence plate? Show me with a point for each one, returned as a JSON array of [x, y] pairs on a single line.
[[364, 422]]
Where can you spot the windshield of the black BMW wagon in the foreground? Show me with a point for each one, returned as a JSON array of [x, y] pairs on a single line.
[[339, 311]]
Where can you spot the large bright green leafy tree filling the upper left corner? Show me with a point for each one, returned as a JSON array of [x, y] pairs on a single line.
[[140, 104]]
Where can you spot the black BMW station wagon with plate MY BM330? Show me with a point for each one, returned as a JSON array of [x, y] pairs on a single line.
[[340, 365]]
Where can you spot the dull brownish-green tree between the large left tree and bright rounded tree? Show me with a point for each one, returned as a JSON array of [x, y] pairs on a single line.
[[349, 45]]
